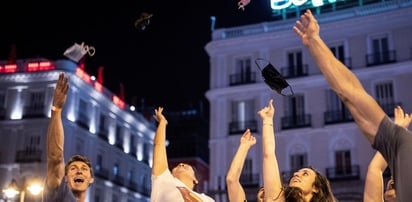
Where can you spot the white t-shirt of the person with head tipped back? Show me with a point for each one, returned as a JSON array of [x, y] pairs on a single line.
[[165, 189]]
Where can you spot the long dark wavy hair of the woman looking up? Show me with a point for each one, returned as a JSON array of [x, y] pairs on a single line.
[[324, 194]]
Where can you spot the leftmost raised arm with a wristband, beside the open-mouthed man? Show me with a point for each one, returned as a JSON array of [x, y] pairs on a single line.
[[55, 135]]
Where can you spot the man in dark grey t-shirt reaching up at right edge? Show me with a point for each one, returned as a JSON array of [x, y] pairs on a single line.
[[392, 141]]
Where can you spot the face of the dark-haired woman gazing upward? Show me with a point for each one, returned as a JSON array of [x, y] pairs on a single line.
[[304, 179]]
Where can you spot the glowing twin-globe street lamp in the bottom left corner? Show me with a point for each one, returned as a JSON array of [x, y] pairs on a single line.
[[34, 188]]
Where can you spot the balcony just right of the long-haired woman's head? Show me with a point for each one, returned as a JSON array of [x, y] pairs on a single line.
[[343, 173]]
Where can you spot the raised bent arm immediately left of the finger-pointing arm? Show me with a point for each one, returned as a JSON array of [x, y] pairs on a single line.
[[234, 188]]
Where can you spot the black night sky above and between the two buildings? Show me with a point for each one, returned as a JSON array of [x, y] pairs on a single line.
[[165, 64]]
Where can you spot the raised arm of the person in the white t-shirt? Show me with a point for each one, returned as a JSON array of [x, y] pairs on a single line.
[[159, 149]]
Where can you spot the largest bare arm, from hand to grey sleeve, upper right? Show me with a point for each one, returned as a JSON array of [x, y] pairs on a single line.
[[364, 109]]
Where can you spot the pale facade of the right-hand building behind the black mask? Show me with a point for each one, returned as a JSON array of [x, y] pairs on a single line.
[[312, 127]]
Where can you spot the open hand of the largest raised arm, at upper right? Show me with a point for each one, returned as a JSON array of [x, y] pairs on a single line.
[[307, 28]]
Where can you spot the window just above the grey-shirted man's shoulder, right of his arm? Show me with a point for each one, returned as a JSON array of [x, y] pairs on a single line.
[[385, 96]]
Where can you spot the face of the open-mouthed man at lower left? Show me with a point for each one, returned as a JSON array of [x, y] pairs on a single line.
[[78, 176]]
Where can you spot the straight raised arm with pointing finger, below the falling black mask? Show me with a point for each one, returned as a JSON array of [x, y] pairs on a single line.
[[271, 177]]
